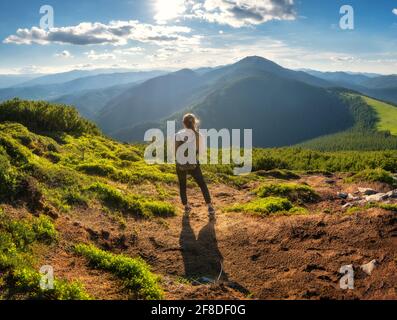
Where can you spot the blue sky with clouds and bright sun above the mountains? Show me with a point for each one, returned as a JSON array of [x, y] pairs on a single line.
[[174, 34]]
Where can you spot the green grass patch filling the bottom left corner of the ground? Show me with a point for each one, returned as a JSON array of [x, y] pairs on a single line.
[[18, 271]]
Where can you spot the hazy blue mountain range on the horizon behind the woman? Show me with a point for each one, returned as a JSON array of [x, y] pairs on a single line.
[[282, 106]]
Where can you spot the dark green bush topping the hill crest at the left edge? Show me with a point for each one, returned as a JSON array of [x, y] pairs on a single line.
[[41, 116]]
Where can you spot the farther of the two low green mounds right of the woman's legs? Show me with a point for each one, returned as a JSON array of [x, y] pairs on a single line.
[[294, 192]]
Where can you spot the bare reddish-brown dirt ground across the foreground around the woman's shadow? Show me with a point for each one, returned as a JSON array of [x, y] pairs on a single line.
[[239, 256]]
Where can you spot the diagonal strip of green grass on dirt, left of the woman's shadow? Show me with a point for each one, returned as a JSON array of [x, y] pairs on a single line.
[[134, 273]]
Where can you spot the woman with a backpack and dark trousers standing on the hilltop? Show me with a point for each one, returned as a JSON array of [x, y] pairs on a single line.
[[191, 135]]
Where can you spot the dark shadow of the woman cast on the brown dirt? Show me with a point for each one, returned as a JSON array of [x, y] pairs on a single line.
[[201, 255]]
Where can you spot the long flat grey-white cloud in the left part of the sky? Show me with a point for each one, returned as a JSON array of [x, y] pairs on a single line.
[[114, 33]]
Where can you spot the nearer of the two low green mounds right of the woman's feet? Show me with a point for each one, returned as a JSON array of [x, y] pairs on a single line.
[[267, 206]]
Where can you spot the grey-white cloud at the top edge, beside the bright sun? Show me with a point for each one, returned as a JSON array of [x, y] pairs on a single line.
[[235, 13]]
